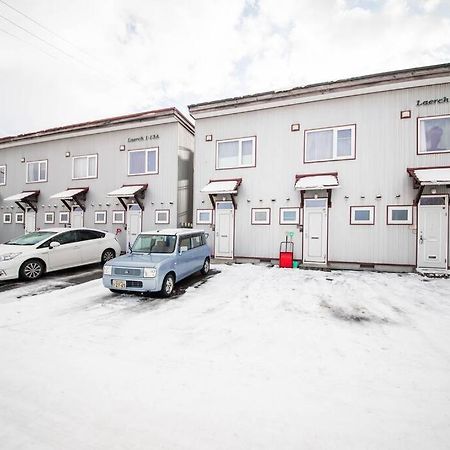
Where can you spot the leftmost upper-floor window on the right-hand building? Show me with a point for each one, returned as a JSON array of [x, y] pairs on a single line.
[[233, 153]]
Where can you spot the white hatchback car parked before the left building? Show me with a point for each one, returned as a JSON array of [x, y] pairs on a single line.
[[31, 255]]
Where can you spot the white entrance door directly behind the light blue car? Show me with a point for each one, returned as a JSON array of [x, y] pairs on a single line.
[[224, 239]]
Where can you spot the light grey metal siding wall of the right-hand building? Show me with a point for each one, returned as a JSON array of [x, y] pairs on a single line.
[[385, 147]]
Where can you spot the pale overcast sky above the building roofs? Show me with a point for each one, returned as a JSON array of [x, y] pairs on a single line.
[[67, 61]]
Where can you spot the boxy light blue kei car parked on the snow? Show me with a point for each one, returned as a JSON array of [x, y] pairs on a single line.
[[157, 260]]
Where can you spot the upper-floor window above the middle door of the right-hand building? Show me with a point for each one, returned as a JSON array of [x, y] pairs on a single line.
[[330, 144]]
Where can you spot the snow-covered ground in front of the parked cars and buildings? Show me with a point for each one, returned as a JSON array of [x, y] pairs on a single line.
[[255, 358]]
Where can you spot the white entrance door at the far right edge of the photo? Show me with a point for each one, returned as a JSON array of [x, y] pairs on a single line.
[[432, 232]]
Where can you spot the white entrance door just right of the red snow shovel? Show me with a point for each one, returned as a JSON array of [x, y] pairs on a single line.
[[315, 229]]
